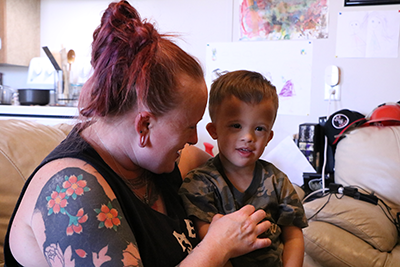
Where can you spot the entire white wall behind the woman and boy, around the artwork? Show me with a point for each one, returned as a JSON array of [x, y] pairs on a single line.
[[365, 83]]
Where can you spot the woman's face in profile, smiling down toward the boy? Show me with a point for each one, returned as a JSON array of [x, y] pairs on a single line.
[[171, 131]]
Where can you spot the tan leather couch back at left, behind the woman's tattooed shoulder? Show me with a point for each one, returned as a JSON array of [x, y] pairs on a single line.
[[23, 145]]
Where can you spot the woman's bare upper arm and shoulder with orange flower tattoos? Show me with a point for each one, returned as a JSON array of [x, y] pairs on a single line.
[[76, 221]]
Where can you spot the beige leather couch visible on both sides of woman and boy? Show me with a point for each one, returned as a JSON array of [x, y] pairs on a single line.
[[346, 232]]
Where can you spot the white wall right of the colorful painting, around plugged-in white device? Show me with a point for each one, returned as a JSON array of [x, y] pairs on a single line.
[[365, 83]]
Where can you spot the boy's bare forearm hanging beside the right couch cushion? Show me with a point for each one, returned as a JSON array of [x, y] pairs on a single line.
[[293, 252]]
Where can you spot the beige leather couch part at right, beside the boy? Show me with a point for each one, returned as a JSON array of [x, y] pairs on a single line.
[[350, 232]]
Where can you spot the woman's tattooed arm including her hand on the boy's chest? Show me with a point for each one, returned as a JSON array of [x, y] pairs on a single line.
[[69, 217]]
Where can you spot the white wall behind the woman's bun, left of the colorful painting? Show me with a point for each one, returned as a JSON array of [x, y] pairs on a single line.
[[196, 22]]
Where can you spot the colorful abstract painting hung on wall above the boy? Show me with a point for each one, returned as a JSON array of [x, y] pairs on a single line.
[[283, 19]]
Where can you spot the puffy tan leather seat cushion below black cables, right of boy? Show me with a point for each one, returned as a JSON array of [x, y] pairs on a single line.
[[364, 220]]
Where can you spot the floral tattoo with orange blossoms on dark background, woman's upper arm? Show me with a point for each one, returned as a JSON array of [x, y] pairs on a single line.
[[82, 224]]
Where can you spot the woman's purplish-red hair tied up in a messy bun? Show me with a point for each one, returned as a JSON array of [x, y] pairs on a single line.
[[133, 64]]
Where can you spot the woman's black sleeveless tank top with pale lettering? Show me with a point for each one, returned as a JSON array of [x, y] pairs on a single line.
[[162, 239]]
